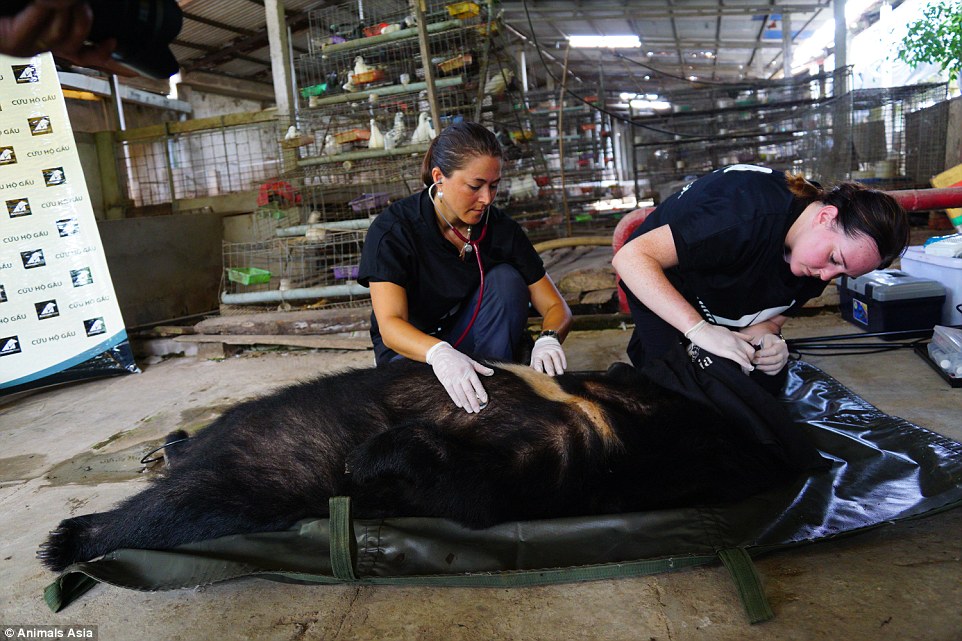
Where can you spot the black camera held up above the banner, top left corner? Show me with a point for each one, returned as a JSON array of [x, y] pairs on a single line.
[[143, 29]]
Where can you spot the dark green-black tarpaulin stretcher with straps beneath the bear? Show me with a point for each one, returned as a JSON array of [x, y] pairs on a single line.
[[883, 469]]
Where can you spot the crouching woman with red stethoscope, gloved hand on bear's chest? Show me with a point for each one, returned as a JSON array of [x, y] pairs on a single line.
[[424, 259]]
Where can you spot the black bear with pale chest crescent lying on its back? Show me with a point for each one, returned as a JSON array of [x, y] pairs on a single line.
[[391, 439]]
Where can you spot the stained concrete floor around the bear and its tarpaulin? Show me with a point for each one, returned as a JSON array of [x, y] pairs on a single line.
[[74, 450]]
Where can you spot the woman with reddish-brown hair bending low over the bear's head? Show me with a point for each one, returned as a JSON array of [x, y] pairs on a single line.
[[723, 261]]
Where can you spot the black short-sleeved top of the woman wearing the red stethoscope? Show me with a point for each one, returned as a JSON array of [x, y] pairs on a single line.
[[404, 246]]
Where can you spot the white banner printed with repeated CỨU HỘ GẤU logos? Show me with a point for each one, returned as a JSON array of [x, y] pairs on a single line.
[[59, 316]]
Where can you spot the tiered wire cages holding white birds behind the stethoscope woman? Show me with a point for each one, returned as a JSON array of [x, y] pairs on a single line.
[[364, 120]]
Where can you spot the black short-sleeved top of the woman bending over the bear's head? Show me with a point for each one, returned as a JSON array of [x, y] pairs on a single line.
[[729, 229]]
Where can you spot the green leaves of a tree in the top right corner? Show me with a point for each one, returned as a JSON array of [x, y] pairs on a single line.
[[936, 38]]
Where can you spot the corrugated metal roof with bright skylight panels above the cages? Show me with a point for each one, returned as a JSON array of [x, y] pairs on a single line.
[[737, 39]]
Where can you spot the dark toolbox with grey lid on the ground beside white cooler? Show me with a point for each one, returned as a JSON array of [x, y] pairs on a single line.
[[889, 300]]
